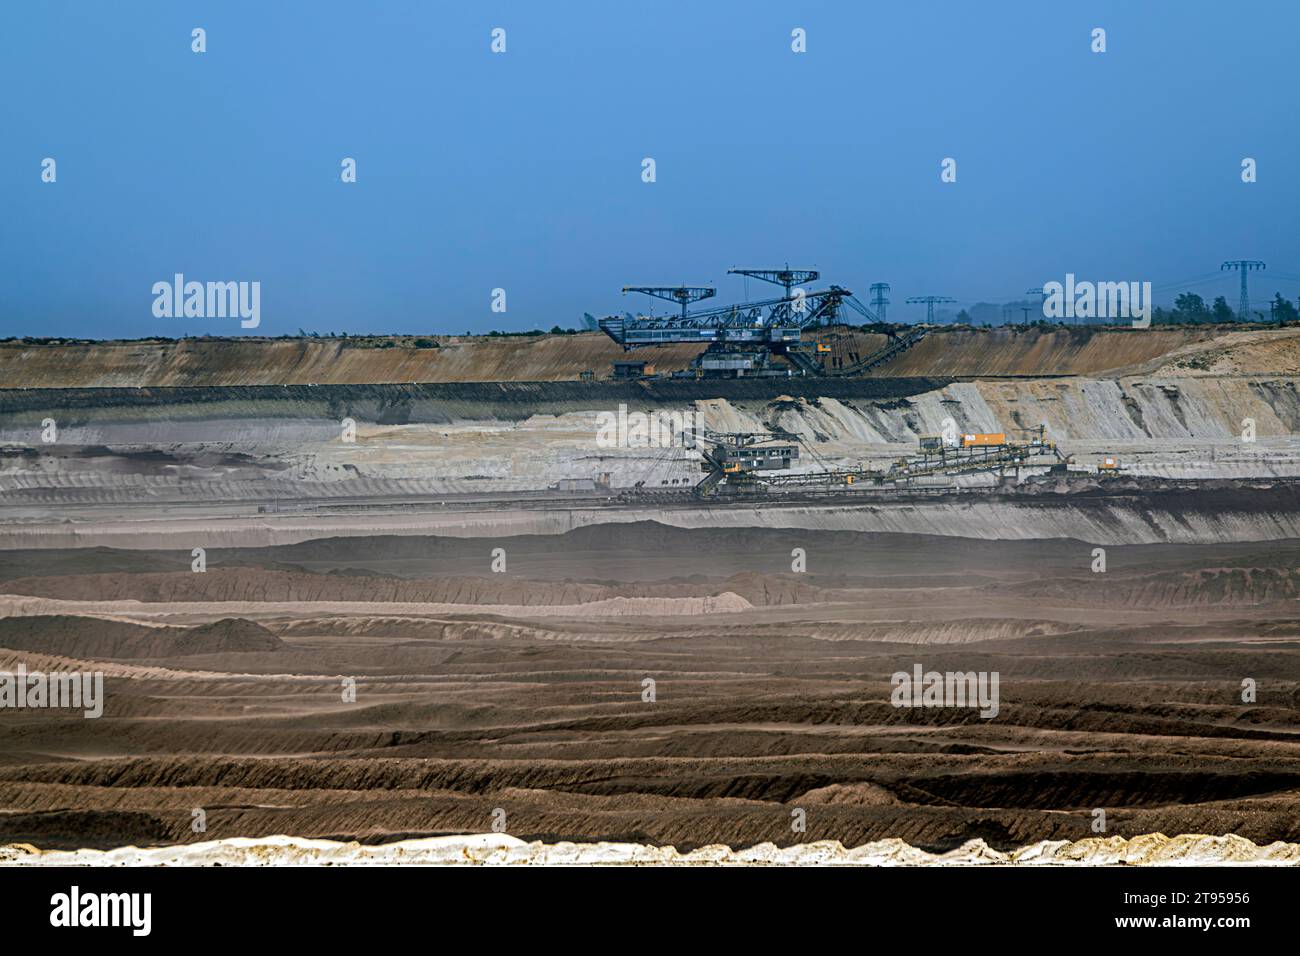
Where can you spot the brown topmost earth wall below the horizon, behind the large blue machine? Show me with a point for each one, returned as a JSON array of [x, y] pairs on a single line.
[[248, 361]]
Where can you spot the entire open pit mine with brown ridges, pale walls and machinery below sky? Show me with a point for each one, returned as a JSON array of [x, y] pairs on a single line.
[[523, 599]]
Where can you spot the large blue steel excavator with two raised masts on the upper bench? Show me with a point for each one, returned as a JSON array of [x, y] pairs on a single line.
[[743, 339]]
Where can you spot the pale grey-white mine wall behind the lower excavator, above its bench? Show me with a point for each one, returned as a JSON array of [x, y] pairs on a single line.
[[453, 439]]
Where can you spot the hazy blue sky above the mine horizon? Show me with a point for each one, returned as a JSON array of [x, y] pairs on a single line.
[[523, 171]]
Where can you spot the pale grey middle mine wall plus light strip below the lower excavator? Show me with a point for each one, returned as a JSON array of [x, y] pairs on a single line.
[[285, 445]]
